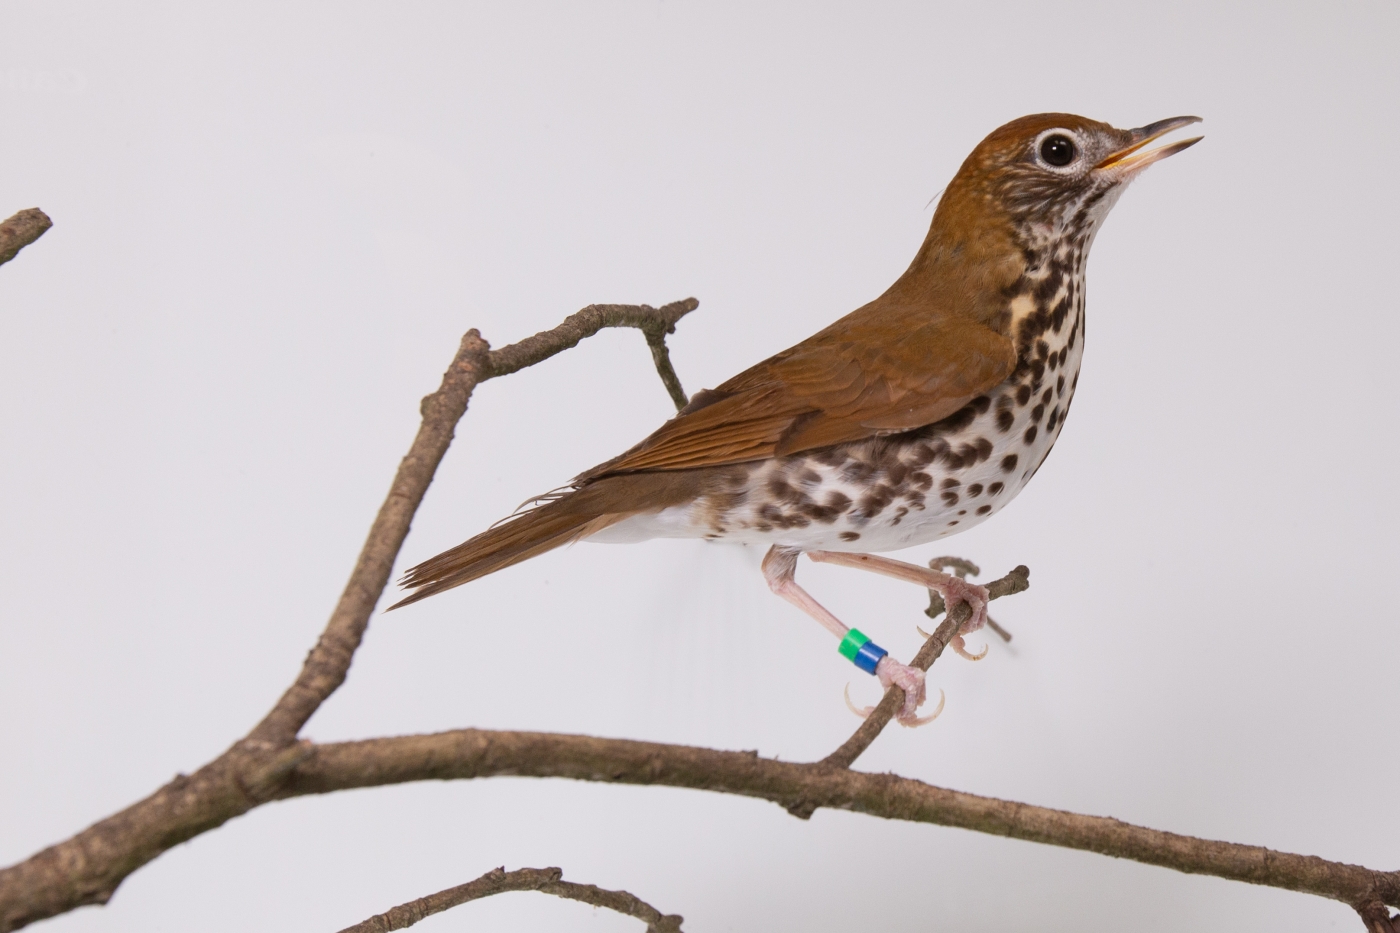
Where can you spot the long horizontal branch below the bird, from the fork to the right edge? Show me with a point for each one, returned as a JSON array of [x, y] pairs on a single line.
[[465, 754]]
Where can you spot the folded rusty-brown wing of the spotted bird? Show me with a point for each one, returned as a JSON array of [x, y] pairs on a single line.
[[867, 375]]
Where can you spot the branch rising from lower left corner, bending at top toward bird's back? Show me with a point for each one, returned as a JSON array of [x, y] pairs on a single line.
[[89, 868]]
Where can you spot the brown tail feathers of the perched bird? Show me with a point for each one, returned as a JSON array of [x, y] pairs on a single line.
[[565, 520]]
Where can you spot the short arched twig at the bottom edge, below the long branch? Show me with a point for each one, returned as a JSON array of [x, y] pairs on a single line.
[[500, 882]]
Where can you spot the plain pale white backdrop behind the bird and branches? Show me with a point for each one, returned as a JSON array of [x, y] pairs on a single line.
[[274, 222]]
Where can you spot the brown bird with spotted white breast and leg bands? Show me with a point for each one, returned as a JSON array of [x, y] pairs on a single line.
[[913, 418]]
